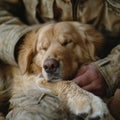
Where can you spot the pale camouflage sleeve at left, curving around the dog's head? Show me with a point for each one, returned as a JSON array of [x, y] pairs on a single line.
[[11, 30]]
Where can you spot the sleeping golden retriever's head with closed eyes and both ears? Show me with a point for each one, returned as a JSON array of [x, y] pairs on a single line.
[[57, 50]]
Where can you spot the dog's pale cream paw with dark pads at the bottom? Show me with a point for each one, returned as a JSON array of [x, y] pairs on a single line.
[[89, 108]]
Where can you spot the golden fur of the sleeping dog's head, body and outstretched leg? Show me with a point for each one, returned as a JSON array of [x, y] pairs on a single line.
[[71, 44]]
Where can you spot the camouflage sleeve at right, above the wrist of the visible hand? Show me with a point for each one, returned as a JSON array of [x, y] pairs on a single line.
[[110, 69]]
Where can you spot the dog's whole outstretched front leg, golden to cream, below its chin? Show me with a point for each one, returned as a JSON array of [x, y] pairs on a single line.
[[80, 102]]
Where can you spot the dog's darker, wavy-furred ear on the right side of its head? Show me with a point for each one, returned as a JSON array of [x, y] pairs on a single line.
[[91, 41]]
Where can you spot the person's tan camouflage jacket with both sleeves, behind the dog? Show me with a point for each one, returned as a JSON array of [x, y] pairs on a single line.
[[17, 17]]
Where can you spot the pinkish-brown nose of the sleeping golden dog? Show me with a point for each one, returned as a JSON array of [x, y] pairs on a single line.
[[51, 65]]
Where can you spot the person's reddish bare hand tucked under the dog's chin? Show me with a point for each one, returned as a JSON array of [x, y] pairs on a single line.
[[90, 79]]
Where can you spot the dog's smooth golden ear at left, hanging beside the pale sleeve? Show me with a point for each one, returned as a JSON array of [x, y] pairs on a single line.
[[27, 51]]
